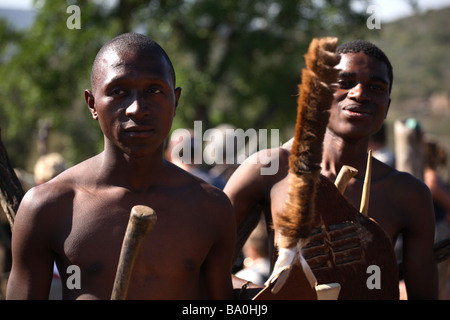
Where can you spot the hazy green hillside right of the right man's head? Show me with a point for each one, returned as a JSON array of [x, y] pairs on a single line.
[[418, 47]]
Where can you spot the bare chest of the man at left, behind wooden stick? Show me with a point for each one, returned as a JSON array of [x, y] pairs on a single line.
[[92, 234]]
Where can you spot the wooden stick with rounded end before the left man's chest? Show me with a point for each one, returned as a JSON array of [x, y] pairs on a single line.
[[141, 222]]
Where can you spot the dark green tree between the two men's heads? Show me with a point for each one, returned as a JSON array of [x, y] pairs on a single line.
[[240, 61]]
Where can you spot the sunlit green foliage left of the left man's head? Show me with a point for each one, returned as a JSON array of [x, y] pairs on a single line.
[[47, 74]]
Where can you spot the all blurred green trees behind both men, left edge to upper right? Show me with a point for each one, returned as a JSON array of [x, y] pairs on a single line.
[[237, 61]]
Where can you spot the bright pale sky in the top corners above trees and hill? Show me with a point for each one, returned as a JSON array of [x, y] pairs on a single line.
[[390, 9]]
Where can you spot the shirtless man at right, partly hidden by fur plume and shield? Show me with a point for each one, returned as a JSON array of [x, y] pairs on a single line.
[[400, 203]]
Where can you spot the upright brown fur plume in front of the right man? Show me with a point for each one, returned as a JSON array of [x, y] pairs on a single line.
[[315, 99]]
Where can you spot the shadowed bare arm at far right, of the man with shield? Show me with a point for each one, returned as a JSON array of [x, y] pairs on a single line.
[[419, 263]]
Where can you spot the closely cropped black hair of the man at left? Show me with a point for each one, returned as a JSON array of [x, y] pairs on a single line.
[[135, 41]]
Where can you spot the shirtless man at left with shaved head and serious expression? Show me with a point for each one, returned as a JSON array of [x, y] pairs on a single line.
[[80, 217]]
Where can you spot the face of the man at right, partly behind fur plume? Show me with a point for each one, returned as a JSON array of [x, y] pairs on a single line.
[[362, 99]]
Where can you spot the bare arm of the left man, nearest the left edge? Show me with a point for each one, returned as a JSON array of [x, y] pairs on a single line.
[[32, 257]]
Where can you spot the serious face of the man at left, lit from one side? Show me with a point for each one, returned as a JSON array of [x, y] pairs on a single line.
[[134, 101]]
